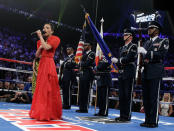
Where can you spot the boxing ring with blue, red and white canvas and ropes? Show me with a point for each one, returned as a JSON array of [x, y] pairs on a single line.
[[14, 117]]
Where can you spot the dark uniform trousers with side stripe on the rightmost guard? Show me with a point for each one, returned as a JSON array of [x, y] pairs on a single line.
[[151, 89]]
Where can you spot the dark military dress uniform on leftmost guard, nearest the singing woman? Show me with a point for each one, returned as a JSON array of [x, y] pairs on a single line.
[[67, 80]]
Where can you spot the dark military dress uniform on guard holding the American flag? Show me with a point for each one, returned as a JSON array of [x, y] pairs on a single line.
[[85, 80]]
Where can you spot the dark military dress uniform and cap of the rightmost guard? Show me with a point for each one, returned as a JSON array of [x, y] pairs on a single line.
[[151, 77]]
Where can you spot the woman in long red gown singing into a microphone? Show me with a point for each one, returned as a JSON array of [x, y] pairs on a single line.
[[47, 104]]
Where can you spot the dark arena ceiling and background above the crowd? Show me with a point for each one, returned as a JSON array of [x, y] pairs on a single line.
[[116, 14]]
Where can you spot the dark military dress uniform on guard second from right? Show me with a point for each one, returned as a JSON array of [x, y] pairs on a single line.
[[127, 68]]
